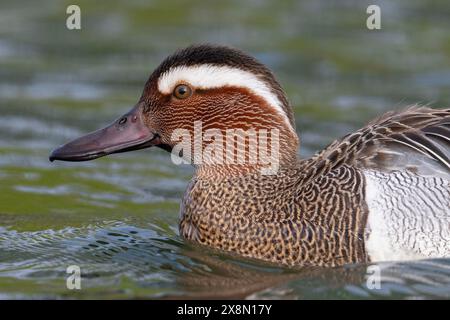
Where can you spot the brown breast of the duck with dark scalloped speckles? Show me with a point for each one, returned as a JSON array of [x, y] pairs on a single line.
[[291, 218]]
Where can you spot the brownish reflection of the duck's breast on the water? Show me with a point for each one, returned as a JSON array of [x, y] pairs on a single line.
[[215, 276]]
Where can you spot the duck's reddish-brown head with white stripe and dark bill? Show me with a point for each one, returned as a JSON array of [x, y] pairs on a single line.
[[218, 87]]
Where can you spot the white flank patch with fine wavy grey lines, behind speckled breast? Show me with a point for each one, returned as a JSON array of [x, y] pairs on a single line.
[[409, 216]]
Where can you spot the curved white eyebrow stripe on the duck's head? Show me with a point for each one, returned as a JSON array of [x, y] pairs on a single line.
[[207, 76]]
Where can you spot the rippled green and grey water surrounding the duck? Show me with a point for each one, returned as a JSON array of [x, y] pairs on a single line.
[[117, 217]]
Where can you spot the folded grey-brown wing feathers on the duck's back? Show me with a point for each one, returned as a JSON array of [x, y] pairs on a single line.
[[416, 139]]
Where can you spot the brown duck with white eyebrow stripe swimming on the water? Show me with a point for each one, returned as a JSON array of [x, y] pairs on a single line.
[[381, 193]]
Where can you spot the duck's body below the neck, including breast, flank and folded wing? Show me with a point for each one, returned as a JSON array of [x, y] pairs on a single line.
[[314, 212]]
